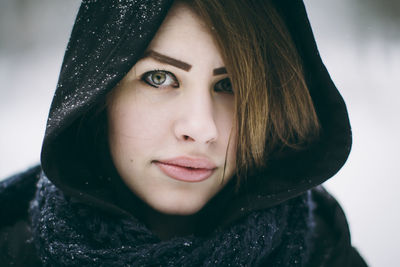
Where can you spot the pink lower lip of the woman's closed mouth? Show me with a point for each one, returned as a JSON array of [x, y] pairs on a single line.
[[184, 174]]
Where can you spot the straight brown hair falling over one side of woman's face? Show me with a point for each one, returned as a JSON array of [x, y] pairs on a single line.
[[273, 105]]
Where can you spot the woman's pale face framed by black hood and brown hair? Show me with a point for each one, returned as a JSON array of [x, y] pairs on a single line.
[[171, 118]]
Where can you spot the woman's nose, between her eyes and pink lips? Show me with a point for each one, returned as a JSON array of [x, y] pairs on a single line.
[[196, 122]]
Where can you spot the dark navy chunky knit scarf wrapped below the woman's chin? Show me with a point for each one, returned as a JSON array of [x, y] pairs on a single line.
[[68, 233]]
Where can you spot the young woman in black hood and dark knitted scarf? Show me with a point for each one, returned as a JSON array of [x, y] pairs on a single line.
[[185, 133]]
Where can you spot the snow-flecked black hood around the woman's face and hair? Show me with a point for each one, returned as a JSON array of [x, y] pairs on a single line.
[[109, 37]]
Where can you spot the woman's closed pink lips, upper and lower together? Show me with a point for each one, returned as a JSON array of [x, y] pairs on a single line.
[[187, 169]]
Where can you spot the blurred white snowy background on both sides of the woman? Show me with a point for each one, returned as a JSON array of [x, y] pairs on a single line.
[[359, 41]]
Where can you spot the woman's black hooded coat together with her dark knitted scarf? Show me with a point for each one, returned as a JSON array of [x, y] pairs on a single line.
[[66, 212]]
